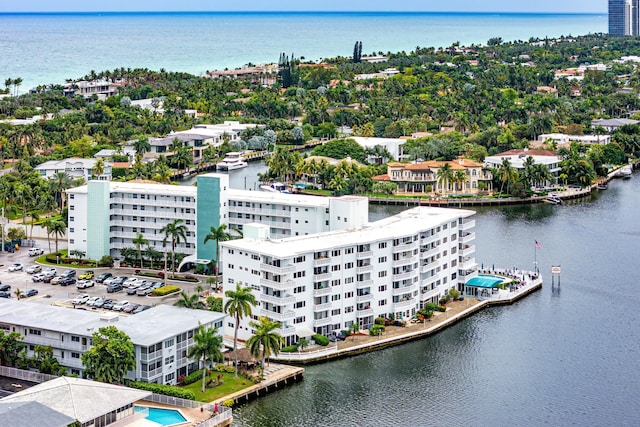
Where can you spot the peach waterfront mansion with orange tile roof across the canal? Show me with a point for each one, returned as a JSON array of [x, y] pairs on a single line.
[[424, 177]]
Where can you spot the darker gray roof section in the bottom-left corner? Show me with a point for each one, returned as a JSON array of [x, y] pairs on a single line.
[[20, 414]]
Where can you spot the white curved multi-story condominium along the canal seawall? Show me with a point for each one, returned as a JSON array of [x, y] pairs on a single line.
[[324, 282]]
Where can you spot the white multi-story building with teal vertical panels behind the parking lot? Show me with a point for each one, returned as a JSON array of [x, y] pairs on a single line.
[[104, 217]]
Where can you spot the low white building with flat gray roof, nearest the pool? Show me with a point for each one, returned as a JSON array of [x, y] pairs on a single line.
[[161, 335]]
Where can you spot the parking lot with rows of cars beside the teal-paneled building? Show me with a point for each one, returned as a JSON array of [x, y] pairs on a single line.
[[62, 295]]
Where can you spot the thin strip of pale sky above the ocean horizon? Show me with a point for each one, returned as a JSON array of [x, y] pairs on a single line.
[[542, 6]]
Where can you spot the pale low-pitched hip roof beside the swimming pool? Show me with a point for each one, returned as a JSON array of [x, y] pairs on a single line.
[[80, 399]]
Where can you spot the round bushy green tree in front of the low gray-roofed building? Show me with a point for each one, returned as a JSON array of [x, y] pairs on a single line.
[[110, 357]]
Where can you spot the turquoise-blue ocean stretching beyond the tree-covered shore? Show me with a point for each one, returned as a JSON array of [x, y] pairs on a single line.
[[44, 48]]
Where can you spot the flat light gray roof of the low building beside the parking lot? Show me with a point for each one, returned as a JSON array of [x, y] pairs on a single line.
[[146, 328]]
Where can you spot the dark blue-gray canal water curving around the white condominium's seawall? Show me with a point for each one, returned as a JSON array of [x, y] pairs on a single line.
[[566, 355]]
